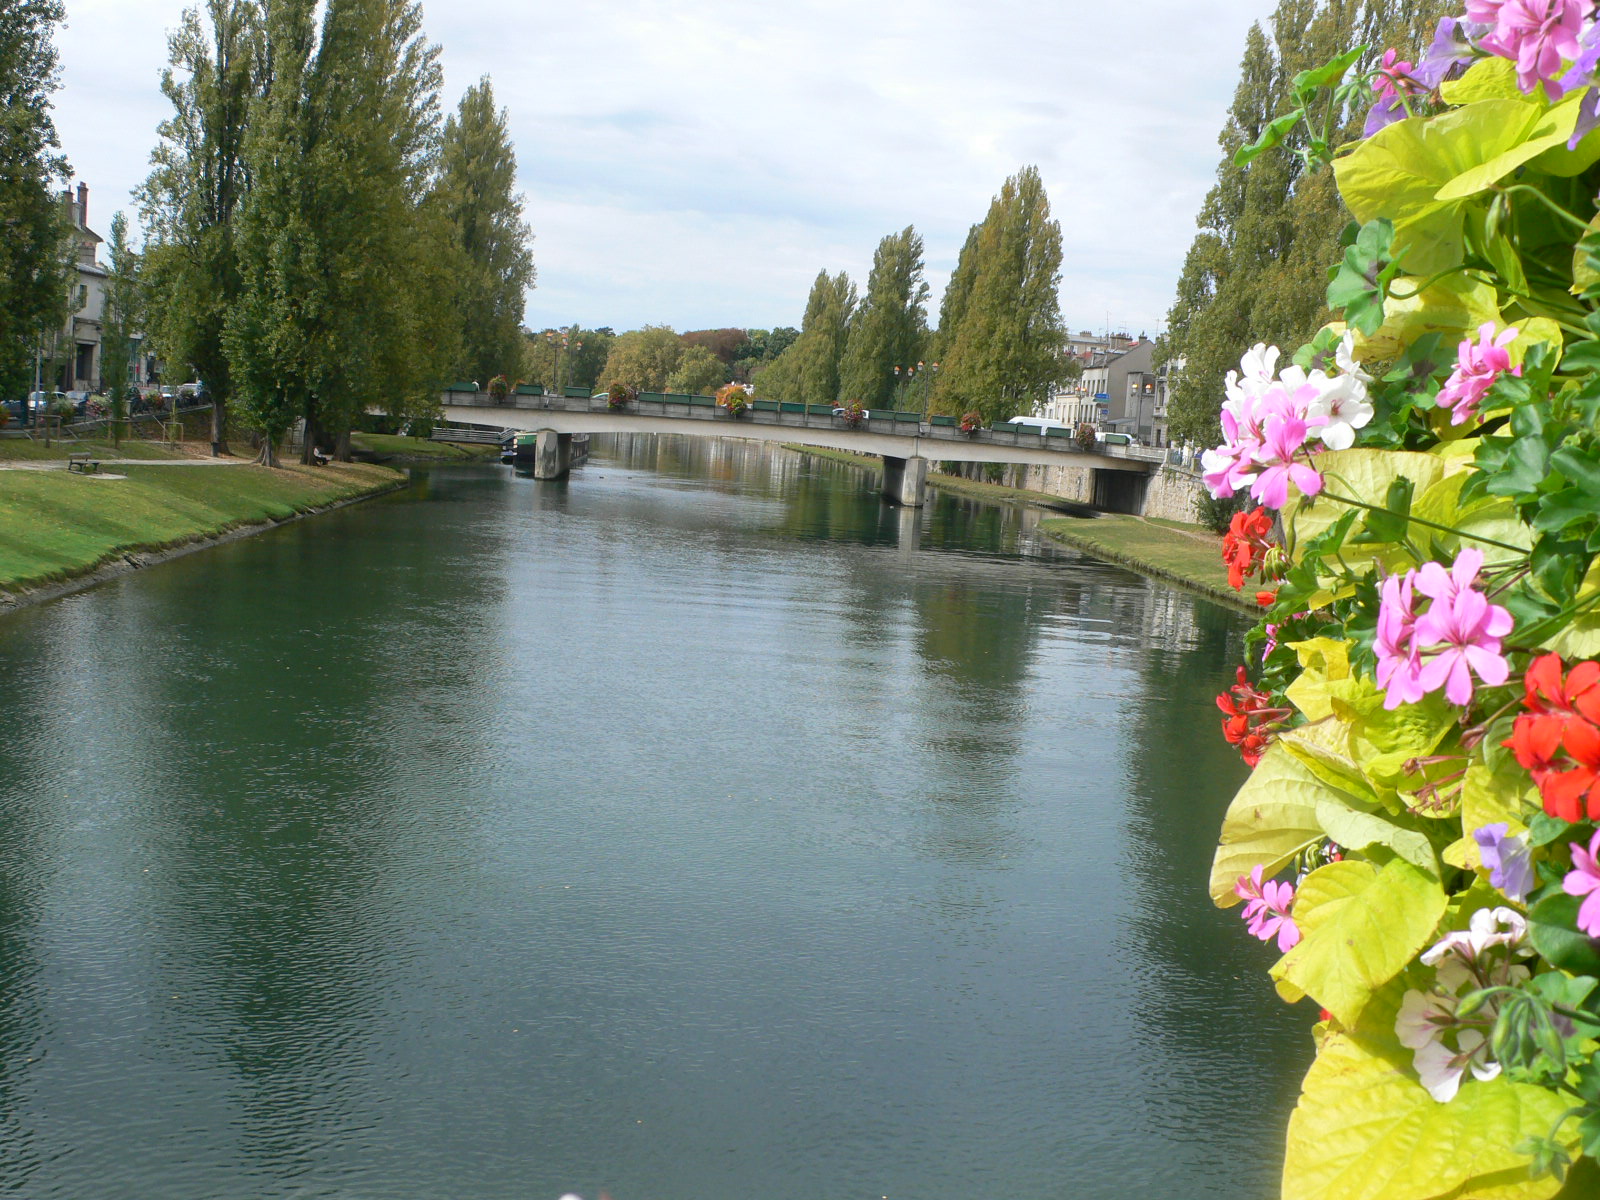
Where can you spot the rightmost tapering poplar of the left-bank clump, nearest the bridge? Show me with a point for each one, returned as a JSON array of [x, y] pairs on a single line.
[[478, 188]]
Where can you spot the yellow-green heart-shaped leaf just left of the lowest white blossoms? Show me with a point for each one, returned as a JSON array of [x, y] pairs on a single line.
[[1359, 927]]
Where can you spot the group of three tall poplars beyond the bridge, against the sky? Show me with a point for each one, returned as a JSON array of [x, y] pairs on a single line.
[[999, 343]]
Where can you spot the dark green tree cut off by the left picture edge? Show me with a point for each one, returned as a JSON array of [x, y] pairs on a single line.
[[34, 268]]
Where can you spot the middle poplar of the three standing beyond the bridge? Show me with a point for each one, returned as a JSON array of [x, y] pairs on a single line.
[[892, 324]]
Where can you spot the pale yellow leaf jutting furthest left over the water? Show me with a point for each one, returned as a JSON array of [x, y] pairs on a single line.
[[1273, 820]]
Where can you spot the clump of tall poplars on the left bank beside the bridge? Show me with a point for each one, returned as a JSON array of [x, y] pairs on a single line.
[[318, 241]]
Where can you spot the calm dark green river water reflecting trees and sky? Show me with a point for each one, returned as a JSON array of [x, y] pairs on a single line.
[[694, 830]]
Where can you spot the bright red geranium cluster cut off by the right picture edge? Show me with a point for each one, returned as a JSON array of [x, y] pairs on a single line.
[[1558, 740]]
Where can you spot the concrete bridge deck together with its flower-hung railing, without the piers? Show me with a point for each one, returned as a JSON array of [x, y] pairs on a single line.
[[895, 434]]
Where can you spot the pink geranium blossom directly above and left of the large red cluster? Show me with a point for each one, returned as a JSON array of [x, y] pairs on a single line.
[[1444, 647]]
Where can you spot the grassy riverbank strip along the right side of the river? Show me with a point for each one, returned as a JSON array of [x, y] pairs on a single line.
[[1188, 556]]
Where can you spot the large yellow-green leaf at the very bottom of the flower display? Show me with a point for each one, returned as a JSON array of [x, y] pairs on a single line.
[[1367, 1130]]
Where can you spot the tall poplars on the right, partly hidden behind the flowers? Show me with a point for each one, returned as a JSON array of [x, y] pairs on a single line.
[[1257, 271]]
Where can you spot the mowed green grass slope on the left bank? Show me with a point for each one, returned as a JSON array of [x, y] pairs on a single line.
[[57, 524]]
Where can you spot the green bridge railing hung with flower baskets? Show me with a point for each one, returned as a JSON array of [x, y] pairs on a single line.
[[804, 417]]
